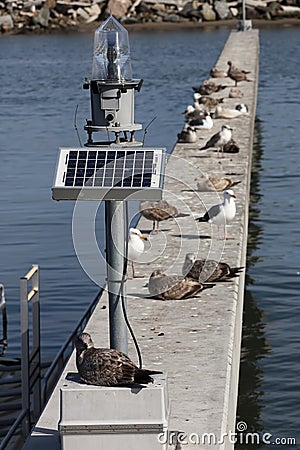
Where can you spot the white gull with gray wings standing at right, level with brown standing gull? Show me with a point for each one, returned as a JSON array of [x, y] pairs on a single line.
[[223, 213]]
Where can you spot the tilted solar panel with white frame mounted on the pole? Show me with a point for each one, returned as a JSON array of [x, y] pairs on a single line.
[[97, 172]]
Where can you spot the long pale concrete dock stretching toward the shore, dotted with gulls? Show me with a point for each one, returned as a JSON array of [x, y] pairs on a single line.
[[195, 341]]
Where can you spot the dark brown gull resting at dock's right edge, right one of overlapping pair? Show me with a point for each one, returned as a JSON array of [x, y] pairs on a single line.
[[208, 270]]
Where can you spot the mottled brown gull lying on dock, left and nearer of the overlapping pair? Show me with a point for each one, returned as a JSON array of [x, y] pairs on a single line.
[[173, 287]]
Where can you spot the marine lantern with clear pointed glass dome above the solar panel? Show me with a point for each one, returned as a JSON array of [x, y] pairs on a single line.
[[112, 86]]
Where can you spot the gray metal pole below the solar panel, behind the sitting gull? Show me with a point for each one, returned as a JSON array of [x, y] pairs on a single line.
[[115, 249]]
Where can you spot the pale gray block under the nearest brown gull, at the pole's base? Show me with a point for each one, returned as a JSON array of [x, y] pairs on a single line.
[[100, 417]]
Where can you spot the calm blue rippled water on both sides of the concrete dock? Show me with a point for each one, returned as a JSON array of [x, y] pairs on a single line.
[[41, 84]]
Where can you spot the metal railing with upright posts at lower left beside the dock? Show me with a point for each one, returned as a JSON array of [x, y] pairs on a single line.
[[33, 384]]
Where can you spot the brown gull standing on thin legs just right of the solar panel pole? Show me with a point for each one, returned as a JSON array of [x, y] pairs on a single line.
[[158, 211]]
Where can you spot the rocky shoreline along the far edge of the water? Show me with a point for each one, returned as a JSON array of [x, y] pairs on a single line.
[[23, 16]]
